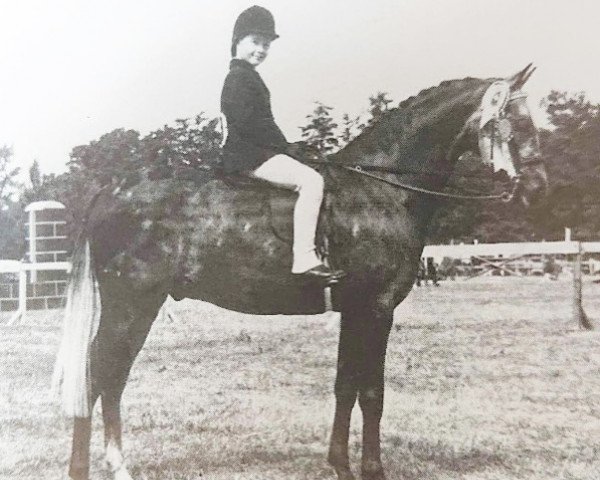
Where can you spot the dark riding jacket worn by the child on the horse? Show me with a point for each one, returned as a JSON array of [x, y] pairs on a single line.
[[253, 137]]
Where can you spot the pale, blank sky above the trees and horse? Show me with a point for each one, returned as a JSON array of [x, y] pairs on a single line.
[[73, 70]]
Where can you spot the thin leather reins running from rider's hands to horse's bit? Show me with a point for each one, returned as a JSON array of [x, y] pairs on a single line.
[[364, 170]]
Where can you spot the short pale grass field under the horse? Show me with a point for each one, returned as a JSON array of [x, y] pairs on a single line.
[[486, 380]]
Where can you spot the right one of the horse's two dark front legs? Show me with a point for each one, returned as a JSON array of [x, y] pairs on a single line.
[[371, 390]]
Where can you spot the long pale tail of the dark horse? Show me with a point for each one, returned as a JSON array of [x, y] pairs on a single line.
[[82, 317]]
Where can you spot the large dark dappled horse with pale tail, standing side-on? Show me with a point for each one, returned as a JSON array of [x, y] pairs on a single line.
[[207, 239]]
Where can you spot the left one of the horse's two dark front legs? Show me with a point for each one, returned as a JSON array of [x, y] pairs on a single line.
[[346, 390]]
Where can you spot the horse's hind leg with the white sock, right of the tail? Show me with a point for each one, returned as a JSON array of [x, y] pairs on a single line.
[[119, 341]]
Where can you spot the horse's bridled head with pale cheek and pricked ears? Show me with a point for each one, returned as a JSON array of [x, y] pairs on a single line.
[[508, 138]]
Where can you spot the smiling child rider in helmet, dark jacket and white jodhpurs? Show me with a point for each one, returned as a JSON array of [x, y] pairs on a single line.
[[256, 146]]
